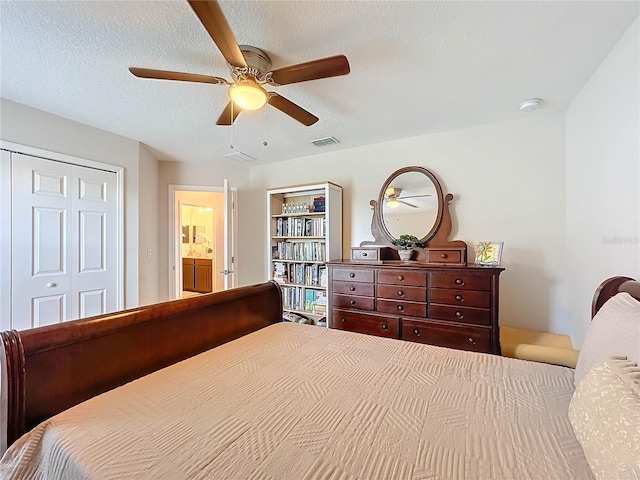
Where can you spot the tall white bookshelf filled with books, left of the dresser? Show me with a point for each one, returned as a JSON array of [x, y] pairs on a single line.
[[304, 232]]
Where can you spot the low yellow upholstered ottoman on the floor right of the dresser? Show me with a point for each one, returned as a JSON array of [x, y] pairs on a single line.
[[538, 346]]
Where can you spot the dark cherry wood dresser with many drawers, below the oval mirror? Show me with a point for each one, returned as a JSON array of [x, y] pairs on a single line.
[[454, 307]]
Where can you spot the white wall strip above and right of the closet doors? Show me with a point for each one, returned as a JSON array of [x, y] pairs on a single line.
[[35, 128]]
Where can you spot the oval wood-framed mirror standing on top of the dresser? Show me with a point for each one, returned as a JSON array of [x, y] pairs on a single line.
[[410, 202]]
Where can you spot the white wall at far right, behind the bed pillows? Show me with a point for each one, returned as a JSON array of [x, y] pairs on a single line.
[[603, 178]]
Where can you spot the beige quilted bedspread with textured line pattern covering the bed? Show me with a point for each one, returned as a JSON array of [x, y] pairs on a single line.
[[302, 402]]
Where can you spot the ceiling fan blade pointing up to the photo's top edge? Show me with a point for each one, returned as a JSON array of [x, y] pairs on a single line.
[[213, 19]]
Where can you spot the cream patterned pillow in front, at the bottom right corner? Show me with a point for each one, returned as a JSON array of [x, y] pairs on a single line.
[[605, 416]]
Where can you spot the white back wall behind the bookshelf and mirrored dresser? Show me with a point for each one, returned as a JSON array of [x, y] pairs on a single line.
[[508, 182]]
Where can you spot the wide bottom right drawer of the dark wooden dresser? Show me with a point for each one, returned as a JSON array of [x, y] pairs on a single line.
[[463, 338]]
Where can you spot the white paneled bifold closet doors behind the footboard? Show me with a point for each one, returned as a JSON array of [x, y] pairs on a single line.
[[64, 240]]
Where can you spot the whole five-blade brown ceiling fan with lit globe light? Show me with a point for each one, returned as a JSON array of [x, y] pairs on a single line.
[[249, 68]]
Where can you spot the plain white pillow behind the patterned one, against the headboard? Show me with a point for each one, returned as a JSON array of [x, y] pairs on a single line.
[[614, 330]]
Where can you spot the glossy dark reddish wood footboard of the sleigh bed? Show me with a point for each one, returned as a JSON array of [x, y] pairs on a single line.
[[49, 369]]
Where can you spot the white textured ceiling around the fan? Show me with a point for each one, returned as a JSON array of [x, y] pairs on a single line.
[[416, 67]]
